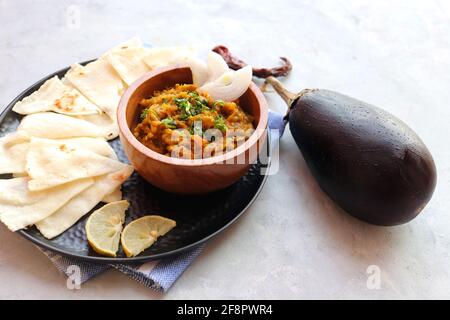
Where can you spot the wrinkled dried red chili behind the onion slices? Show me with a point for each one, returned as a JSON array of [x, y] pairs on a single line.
[[235, 63]]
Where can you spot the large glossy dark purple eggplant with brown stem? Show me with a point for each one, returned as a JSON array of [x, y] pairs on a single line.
[[365, 159]]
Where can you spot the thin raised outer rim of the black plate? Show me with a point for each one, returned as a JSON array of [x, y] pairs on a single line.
[[137, 259]]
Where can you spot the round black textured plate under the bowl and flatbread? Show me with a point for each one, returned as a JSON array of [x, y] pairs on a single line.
[[198, 217]]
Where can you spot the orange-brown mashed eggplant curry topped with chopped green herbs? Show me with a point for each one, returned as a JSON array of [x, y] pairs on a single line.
[[183, 122]]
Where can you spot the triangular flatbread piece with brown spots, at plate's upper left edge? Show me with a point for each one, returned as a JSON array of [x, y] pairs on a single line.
[[56, 96]]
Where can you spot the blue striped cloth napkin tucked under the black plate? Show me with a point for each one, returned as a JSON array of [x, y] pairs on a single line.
[[157, 275]]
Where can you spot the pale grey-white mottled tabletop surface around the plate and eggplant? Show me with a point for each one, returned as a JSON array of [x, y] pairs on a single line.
[[293, 242]]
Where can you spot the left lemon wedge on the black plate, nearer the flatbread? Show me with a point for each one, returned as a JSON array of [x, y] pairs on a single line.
[[104, 226]]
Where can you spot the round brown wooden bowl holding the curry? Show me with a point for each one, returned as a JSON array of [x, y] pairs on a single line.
[[186, 176]]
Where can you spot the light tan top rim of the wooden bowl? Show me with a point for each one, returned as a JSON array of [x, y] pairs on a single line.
[[128, 135]]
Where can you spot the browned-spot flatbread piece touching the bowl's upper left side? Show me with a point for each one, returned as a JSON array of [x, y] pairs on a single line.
[[99, 82]]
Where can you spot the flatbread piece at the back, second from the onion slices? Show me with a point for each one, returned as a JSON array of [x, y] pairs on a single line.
[[128, 63]]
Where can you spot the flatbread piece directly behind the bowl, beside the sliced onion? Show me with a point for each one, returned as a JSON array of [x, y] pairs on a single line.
[[164, 56]]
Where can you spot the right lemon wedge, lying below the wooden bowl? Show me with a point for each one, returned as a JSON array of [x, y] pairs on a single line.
[[143, 232]]
